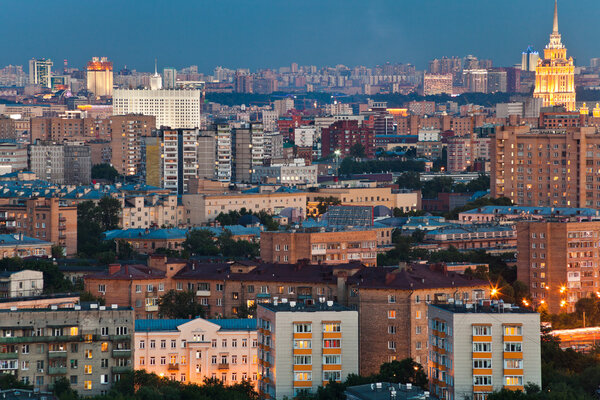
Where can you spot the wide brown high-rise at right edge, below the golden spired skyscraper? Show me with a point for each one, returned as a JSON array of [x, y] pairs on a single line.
[[549, 167]]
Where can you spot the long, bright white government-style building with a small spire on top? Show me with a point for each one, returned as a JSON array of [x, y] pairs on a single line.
[[173, 108]]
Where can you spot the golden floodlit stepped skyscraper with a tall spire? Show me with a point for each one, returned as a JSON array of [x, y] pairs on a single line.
[[555, 74]]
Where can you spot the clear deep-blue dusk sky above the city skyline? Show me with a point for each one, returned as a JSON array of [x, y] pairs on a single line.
[[261, 33]]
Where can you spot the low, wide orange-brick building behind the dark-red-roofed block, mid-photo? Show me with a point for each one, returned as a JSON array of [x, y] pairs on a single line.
[[330, 247]]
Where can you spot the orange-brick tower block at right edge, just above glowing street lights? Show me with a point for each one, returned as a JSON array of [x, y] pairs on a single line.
[[557, 261]]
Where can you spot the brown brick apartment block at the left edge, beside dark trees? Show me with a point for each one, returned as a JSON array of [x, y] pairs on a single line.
[[44, 220]]
